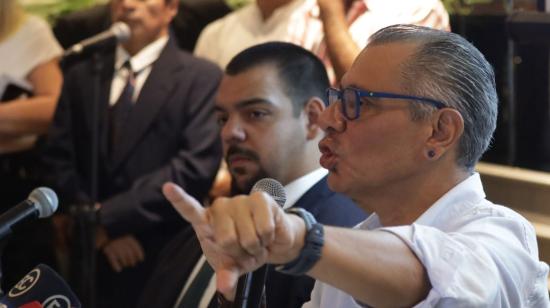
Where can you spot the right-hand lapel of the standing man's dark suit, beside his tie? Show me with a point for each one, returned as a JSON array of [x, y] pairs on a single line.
[[154, 94]]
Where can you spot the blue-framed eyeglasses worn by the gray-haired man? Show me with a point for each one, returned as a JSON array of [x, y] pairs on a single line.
[[351, 100]]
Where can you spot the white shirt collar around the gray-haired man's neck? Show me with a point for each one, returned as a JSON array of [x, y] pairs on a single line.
[[466, 194]]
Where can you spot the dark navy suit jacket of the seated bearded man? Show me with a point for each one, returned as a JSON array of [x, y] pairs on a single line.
[[180, 256]]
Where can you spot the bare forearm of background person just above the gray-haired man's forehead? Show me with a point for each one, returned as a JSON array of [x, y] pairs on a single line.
[[341, 48]]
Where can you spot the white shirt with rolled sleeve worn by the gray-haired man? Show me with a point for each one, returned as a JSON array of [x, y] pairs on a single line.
[[476, 254]]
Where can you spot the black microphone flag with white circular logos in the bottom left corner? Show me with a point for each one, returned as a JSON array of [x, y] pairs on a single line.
[[43, 285]]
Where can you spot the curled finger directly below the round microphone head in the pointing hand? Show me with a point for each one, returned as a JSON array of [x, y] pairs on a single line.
[[264, 221]]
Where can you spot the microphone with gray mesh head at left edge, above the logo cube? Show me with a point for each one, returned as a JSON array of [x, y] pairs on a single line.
[[41, 203]]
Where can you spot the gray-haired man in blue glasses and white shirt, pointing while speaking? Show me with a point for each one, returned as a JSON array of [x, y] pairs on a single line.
[[410, 120]]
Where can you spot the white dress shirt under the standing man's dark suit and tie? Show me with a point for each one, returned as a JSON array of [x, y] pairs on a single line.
[[141, 65]]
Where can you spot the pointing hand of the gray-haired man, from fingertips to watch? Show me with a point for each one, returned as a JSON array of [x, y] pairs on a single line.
[[240, 234]]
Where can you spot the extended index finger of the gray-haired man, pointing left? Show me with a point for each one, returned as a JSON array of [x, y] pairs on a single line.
[[189, 208]]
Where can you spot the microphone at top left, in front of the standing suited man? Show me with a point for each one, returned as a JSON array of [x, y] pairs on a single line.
[[119, 32]]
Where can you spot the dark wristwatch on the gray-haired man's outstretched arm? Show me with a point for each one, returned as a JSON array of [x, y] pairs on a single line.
[[313, 244]]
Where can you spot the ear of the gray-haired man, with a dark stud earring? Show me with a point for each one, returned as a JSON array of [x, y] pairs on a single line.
[[447, 128]]
